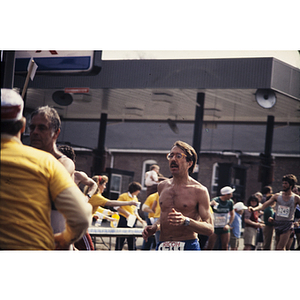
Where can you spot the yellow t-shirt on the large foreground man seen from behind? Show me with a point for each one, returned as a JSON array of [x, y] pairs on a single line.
[[30, 179]]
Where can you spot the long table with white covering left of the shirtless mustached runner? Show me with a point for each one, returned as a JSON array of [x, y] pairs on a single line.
[[95, 231]]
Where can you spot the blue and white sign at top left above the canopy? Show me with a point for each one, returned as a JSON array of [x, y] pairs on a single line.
[[59, 61]]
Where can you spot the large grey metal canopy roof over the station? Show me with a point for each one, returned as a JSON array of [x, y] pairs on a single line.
[[158, 90]]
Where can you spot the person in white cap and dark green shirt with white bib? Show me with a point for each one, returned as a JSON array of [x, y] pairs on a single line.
[[223, 208]]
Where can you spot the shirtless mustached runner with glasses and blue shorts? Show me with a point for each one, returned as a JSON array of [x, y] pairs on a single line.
[[184, 204]]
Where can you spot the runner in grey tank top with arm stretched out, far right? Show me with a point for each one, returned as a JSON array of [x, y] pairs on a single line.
[[286, 202]]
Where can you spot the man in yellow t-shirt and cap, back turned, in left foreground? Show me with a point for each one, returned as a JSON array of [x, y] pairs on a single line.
[[30, 180]]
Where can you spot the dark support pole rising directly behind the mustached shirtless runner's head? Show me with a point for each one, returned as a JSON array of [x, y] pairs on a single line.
[[198, 129]]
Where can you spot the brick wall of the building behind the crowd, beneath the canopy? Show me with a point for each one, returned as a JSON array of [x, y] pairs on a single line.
[[134, 162]]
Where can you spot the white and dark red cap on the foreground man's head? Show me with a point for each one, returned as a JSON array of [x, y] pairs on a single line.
[[11, 105]]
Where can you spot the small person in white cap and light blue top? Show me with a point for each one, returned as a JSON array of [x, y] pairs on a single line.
[[236, 226]]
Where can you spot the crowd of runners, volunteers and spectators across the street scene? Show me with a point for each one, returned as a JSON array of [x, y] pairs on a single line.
[[43, 207]]
